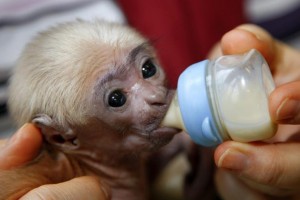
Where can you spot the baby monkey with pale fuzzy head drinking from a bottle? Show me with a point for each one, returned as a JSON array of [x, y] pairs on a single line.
[[98, 95]]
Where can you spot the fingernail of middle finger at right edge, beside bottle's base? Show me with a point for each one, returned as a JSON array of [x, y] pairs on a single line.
[[287, 109]]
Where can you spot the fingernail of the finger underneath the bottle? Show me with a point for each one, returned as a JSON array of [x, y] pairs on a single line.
[[233, 159]]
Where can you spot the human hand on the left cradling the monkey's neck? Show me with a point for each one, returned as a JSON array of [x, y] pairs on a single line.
[[22, 149]]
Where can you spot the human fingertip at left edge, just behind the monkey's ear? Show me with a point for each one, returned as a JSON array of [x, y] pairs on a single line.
[[23, 147]]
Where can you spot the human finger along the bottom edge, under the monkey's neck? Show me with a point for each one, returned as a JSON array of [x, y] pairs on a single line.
[[85, 187]]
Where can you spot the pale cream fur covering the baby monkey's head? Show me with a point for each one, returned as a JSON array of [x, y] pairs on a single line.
[[55, 68]]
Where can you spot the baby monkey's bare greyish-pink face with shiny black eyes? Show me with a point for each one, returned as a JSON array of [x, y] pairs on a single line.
[[132, 98]]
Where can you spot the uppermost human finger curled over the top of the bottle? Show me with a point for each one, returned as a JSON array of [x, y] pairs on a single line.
[[283, 59]]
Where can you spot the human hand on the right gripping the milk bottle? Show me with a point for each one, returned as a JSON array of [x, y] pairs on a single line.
[[265, 170]]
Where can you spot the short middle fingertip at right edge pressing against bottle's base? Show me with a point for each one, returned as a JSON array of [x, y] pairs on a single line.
[[284, 104]]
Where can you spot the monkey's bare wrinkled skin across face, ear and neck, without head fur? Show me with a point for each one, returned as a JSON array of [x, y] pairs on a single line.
[[116, 138]]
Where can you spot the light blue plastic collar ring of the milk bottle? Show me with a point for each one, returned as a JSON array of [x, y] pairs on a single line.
[[195, 107]]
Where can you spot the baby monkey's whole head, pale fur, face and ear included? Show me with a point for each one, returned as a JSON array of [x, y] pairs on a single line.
[[90, 85]]
